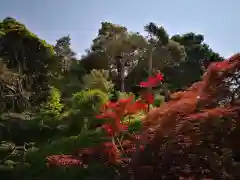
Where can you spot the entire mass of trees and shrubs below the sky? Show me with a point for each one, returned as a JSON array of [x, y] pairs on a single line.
[[133, 107]]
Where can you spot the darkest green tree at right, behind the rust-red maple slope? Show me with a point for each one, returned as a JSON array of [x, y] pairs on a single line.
[[199, 56]]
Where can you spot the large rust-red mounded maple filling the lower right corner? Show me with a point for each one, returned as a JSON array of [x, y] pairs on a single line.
[[194, 134]]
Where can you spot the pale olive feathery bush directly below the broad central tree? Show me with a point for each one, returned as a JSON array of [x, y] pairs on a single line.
[[97, 79]]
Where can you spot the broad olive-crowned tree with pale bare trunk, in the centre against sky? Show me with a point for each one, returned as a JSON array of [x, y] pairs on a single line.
[[122, 48]]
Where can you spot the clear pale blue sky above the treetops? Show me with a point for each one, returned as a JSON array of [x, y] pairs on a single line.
[[217, 20]]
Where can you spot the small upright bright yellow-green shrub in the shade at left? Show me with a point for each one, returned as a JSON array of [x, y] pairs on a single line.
[[51, 110]]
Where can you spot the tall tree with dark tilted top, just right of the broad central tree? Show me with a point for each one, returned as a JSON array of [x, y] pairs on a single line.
[[162, 52]]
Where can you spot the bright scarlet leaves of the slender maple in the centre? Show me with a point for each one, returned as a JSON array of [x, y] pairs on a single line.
[[116, 111]]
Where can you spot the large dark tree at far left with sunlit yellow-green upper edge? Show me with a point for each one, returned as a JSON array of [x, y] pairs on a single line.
[[28, 56]]
